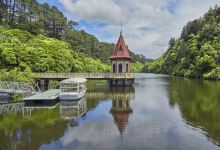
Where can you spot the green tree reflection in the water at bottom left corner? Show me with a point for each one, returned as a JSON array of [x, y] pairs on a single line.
[[43, 126]]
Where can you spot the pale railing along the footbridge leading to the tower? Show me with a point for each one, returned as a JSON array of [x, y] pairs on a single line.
[[84, 75]]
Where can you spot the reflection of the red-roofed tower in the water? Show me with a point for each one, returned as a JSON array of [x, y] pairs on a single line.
[[121, 97]]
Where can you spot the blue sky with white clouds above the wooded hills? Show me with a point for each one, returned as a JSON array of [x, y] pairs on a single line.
[[147, 24]]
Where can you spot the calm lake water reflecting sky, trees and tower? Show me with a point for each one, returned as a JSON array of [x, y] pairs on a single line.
[[158, 112]]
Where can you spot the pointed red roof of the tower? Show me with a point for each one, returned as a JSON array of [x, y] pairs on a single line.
[[120, 49]]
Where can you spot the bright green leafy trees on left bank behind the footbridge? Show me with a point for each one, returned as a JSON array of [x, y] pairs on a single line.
[[22, 53]]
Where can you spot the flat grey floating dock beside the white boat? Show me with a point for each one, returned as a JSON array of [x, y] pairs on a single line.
[[47, 95]]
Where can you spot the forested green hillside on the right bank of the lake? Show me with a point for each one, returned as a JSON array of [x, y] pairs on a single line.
[[196, 53]]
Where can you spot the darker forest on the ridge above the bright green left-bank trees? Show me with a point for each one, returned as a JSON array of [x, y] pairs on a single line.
[[47, 20]]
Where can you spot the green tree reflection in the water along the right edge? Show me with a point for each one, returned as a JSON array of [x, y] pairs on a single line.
[[199, 102]]
